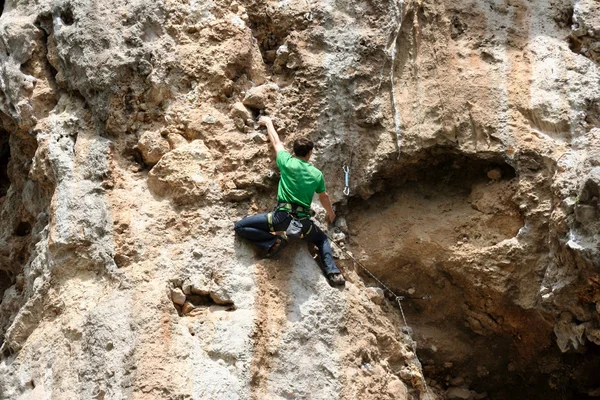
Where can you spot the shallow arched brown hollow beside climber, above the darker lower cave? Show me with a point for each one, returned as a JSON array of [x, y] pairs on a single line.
[[435, 207]]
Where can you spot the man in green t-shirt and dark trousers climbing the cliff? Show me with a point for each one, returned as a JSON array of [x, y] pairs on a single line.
[[299, 181]]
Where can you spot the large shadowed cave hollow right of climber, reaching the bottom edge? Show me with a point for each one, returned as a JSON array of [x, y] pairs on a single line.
[[426, 222]]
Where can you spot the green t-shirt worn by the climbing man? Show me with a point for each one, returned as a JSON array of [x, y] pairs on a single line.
[[299, 180]]
